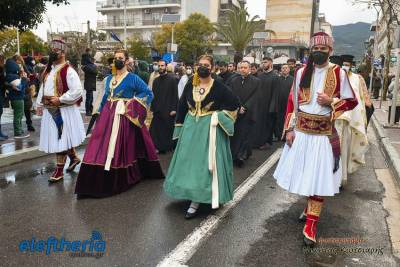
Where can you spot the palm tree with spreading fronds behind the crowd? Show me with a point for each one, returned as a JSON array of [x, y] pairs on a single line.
[[239, 28]]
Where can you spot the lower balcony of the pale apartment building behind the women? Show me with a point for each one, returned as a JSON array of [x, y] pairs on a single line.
[[130, 24]]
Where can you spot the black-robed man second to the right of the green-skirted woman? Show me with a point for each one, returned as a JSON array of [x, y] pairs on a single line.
[[263, 129]]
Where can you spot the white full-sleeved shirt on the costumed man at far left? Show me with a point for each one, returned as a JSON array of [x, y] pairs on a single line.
[[74, 85]]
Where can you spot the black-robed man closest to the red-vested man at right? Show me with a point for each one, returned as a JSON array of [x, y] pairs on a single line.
[[285, 84]]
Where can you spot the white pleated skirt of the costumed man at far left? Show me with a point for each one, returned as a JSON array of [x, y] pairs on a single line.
[[73, 131]]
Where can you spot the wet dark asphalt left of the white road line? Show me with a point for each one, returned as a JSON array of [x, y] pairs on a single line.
[[140, 226]]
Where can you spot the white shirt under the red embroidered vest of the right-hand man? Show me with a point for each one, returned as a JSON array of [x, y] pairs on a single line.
[[318, 86]]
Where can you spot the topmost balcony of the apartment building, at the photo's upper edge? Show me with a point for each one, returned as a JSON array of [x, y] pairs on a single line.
[[103, 6]]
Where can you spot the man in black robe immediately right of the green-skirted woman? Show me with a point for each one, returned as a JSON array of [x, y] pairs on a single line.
[[246, 88]]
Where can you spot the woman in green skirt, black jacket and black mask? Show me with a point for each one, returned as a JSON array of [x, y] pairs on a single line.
[[201, 169]]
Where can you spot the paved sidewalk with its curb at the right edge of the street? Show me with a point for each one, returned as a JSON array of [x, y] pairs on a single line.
[[389, 138]]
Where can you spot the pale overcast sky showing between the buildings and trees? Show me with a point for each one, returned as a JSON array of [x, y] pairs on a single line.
[[75, 15]]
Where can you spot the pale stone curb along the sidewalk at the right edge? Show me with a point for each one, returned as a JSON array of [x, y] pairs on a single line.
[[391, 154]]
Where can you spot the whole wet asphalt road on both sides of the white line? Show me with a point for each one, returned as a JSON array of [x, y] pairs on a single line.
[[143, 225]]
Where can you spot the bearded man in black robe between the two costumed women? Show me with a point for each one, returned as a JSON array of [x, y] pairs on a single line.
[[164, 106]]
